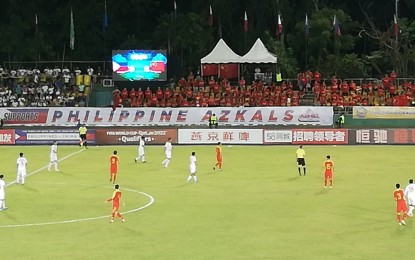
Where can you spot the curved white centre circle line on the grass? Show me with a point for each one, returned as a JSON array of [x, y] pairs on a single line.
[[86, 219]]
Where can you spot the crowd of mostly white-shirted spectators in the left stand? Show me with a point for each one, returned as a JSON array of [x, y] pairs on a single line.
[[47, 88]]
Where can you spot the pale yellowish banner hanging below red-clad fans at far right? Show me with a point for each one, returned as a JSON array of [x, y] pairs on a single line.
[[384, 112]]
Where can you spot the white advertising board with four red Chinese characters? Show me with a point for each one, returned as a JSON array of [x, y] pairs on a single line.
[[226, 136]]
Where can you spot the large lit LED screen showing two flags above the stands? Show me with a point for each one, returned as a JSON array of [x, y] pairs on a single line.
[[139, 65]]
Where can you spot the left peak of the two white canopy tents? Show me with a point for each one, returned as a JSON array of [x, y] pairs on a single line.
[[221, 54]]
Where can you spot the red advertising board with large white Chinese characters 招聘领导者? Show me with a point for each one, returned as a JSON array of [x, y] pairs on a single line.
[[320, 136]]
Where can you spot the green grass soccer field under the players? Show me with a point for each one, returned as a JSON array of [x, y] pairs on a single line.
[[257, 208]]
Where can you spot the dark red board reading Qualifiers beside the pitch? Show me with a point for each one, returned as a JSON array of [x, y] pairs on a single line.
[[130, 136]]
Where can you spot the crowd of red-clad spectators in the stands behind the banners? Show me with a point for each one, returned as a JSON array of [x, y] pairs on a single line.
[[196, 92]]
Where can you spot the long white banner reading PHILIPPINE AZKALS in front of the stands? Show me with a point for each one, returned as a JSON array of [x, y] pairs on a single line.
[[62, 116]]
